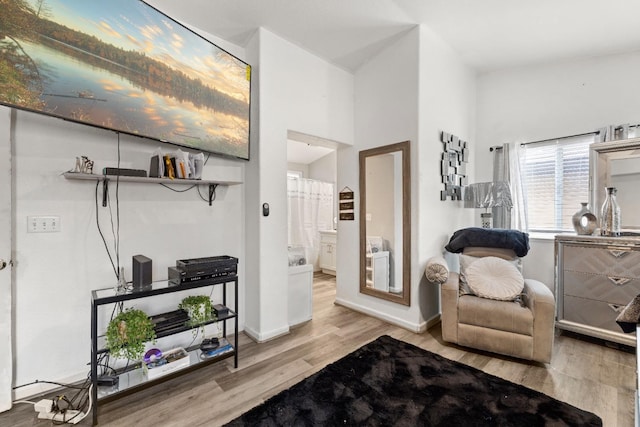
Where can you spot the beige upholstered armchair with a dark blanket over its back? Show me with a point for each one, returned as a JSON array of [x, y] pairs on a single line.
[[522, 327]]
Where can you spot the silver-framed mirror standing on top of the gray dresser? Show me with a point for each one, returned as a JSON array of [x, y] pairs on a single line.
[[617, 164]]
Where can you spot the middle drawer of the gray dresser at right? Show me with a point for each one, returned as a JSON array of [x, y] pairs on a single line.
[[612, 289]]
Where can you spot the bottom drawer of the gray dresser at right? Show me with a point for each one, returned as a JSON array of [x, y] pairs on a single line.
[[593, 313]]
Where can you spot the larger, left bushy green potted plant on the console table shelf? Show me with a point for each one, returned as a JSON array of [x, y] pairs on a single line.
[[128, 333]]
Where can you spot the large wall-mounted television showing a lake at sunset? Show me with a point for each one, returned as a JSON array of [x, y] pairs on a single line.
[[125, 66]]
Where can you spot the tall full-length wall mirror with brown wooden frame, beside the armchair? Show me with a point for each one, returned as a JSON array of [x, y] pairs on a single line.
[[385, 222]]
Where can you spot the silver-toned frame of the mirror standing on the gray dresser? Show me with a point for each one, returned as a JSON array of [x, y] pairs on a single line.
[[601, 153]]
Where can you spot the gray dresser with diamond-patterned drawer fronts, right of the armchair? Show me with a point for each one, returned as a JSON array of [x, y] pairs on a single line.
[[596, 277]]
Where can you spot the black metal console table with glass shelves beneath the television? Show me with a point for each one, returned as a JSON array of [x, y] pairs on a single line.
[[132, 379]]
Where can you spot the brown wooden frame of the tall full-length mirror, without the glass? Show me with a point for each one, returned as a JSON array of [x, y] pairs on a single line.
[[405, 148]]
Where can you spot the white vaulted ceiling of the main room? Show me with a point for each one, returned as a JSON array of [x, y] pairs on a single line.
[[488, 34]]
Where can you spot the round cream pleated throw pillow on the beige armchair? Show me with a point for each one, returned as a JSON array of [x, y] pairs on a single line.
[[494, 278]]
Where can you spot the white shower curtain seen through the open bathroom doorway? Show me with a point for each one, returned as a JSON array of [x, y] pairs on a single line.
[[310, 209]]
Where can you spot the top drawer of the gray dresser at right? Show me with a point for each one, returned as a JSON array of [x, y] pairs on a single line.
[[602, 260]]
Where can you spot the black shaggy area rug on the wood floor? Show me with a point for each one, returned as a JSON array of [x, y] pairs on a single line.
[[391, 383]]
